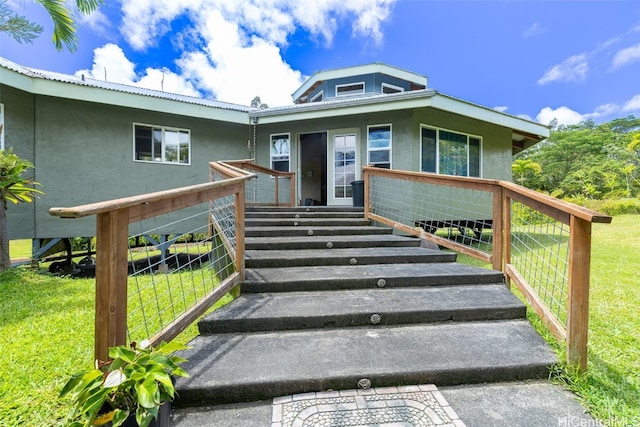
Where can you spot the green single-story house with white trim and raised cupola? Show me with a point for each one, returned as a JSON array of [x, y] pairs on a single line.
[[94, 140]]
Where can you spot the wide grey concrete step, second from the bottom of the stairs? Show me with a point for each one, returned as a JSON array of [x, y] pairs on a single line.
[[362, 307]]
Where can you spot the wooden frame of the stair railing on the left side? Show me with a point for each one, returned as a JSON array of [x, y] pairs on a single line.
[[113, 219]]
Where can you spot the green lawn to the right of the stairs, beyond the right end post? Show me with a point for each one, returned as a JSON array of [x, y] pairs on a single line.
[[610, 388]]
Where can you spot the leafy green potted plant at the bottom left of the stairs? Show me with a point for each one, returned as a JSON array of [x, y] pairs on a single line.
[[136, 383]]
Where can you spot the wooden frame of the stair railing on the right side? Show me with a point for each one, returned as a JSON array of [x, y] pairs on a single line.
[[579, 219]]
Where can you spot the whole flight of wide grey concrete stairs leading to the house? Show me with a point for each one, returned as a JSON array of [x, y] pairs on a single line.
[[331, 302]]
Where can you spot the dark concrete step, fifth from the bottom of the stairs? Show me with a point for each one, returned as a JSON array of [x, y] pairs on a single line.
[[329, 241]]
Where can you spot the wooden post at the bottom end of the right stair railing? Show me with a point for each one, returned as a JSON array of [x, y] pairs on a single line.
[[578, 304]]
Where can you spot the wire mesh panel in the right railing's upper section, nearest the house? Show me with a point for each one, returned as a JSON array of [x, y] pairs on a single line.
[[463, 215]]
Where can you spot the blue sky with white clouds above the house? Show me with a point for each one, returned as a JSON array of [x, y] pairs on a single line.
[[570, 60]]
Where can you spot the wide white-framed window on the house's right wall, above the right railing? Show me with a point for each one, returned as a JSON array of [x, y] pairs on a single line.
[[450, 153]]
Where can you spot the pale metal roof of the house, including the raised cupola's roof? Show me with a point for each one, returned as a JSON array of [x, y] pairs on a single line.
[[525, 132]]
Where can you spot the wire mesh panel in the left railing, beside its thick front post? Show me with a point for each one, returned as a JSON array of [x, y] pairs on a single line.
[[175, 260]]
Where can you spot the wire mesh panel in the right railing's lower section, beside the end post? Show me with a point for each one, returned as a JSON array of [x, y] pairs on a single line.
[[540, 254]]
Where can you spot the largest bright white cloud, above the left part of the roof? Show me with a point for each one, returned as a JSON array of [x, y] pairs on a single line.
[[232, 48]]
